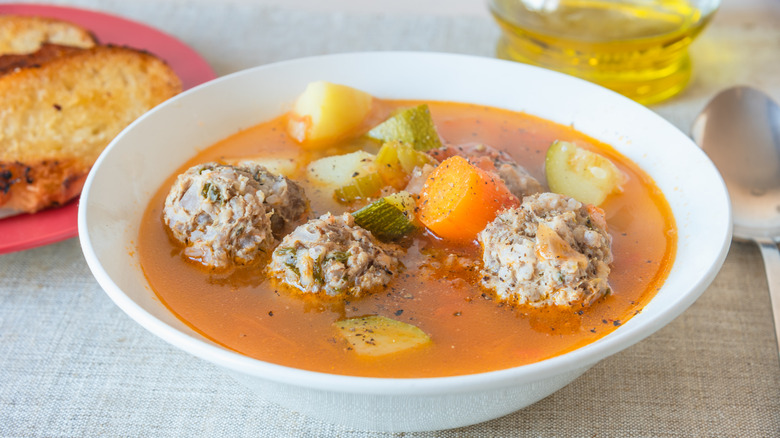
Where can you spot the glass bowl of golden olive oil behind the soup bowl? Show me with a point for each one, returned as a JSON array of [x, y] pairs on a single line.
[[638, 48]]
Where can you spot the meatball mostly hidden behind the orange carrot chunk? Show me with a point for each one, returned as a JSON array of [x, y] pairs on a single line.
[[519, 182]]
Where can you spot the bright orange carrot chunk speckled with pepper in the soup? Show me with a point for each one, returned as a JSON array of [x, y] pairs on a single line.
[[458, 200]]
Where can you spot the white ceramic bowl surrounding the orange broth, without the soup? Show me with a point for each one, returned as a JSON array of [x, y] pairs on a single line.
[[141, 157]]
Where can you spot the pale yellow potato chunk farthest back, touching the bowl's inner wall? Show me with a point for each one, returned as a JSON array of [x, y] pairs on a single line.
[[327, 111]]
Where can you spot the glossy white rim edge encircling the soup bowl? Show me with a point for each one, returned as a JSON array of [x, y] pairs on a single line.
[[580, 358]]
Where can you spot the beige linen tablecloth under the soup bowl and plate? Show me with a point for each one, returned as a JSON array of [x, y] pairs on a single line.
[[72, 363]]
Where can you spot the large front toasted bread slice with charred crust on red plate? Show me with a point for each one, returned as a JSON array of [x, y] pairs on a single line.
[[58, 115]]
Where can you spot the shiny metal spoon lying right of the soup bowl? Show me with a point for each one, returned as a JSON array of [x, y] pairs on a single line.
[[740, 131]]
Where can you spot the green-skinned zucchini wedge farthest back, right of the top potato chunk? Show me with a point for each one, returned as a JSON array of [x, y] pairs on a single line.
[[412, 125]]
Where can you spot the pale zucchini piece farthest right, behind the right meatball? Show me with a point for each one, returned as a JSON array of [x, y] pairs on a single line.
[[581, 174]]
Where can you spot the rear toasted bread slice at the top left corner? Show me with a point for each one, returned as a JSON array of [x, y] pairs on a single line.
[[21, 34]]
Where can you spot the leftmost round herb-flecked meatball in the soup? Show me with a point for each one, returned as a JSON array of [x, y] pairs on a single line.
[[218, 212]]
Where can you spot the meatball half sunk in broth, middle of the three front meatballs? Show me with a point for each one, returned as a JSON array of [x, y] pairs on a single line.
[[333, 255]]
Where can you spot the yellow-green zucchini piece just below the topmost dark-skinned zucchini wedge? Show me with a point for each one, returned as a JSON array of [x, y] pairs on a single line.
[[396, 161]]
